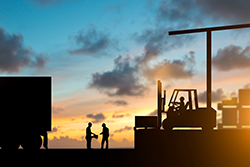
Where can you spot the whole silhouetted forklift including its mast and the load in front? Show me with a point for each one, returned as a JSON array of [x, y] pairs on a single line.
[[191, 115]]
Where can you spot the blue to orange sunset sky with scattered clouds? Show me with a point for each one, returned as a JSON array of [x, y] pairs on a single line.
[[105, 57]]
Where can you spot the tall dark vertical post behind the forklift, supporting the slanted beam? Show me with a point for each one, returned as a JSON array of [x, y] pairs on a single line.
[[209, 69]]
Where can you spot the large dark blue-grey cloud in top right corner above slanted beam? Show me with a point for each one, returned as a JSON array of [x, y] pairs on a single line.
[[201, 12]]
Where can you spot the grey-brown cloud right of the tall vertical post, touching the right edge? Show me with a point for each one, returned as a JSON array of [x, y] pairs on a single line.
[[231, 58]]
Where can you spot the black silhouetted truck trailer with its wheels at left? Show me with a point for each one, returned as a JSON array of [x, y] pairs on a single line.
[[25, 111]]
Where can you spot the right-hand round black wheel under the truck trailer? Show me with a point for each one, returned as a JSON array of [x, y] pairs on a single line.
[[31, 142]]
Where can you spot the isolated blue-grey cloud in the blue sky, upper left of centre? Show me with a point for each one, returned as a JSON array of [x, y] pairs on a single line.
[[92, 42]]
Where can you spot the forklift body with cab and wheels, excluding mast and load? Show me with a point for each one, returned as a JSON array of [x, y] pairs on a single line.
[[189, 115]]
